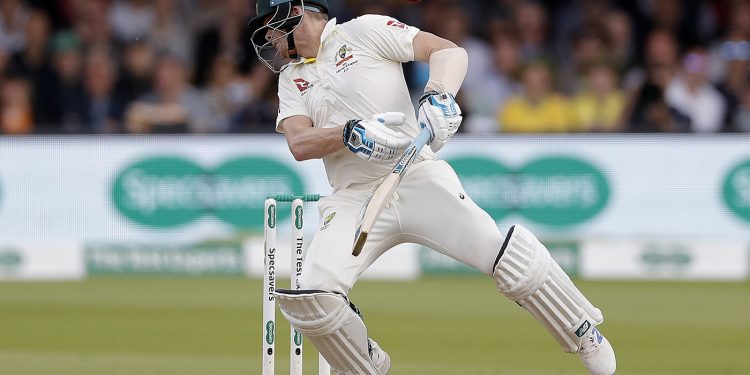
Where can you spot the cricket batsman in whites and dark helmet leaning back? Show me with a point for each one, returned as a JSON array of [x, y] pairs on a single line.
[[343, 99]]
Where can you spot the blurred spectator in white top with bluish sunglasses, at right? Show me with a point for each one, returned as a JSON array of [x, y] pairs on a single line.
[[692, 94]]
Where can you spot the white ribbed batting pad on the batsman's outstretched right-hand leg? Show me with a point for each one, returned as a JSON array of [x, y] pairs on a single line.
[[526, 273]]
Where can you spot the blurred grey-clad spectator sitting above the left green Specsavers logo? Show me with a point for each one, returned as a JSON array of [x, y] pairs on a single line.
[[173, 106]]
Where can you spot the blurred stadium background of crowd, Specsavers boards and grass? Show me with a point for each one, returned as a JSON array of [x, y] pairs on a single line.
[[132, 175]]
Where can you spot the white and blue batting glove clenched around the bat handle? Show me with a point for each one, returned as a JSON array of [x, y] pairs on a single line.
[[441, 114]]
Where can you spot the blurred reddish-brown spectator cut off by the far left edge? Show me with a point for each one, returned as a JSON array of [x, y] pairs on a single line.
[[16, 115]]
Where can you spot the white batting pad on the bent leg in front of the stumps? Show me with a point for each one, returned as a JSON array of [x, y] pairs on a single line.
[[330, 323]]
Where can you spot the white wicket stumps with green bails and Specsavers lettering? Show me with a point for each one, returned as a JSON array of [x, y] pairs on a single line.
[[269, 281]]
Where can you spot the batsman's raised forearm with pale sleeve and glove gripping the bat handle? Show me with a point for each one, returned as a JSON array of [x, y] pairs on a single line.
[[438, 109]]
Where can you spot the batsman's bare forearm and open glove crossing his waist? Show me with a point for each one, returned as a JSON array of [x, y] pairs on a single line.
[[372, 140]]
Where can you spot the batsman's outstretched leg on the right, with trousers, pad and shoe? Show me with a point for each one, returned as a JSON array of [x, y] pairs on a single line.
[[436, 212]]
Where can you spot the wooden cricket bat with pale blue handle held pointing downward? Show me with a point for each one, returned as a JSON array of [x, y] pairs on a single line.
[[374, 205]]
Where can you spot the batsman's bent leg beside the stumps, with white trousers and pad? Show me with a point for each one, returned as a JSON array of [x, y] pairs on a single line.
[[320, 310]]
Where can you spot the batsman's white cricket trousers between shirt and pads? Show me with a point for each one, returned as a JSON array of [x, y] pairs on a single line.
[[430, 208]]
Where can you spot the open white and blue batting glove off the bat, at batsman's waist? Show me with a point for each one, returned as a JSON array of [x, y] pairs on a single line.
[[374, 140]]
